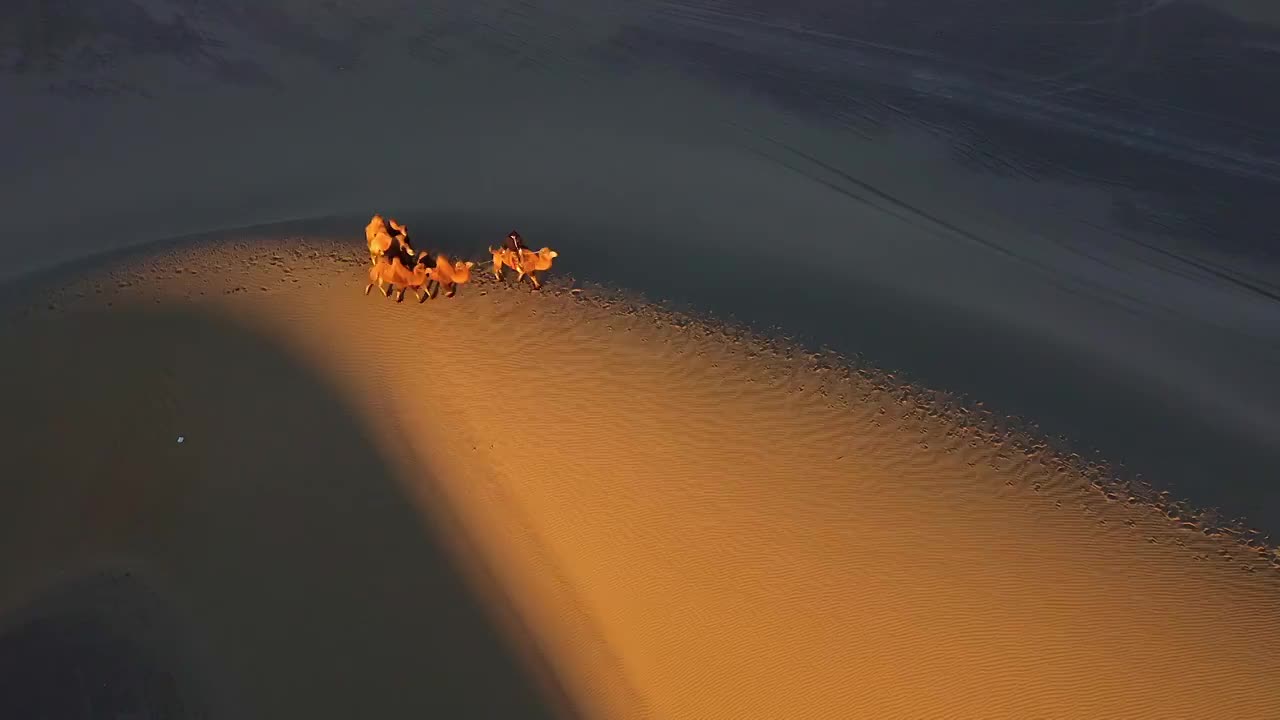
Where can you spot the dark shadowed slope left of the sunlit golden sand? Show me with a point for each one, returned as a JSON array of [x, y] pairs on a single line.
[[268, 566]]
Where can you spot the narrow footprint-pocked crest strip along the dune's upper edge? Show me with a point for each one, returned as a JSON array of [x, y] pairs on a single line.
[[776, 354]]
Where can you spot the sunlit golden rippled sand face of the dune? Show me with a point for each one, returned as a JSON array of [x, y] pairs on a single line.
[[702, 526]]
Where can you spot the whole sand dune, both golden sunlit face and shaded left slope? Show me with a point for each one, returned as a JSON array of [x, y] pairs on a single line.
[[669, 520]]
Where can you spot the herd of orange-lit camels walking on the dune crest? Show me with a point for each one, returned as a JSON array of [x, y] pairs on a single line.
[[396, 268]]
